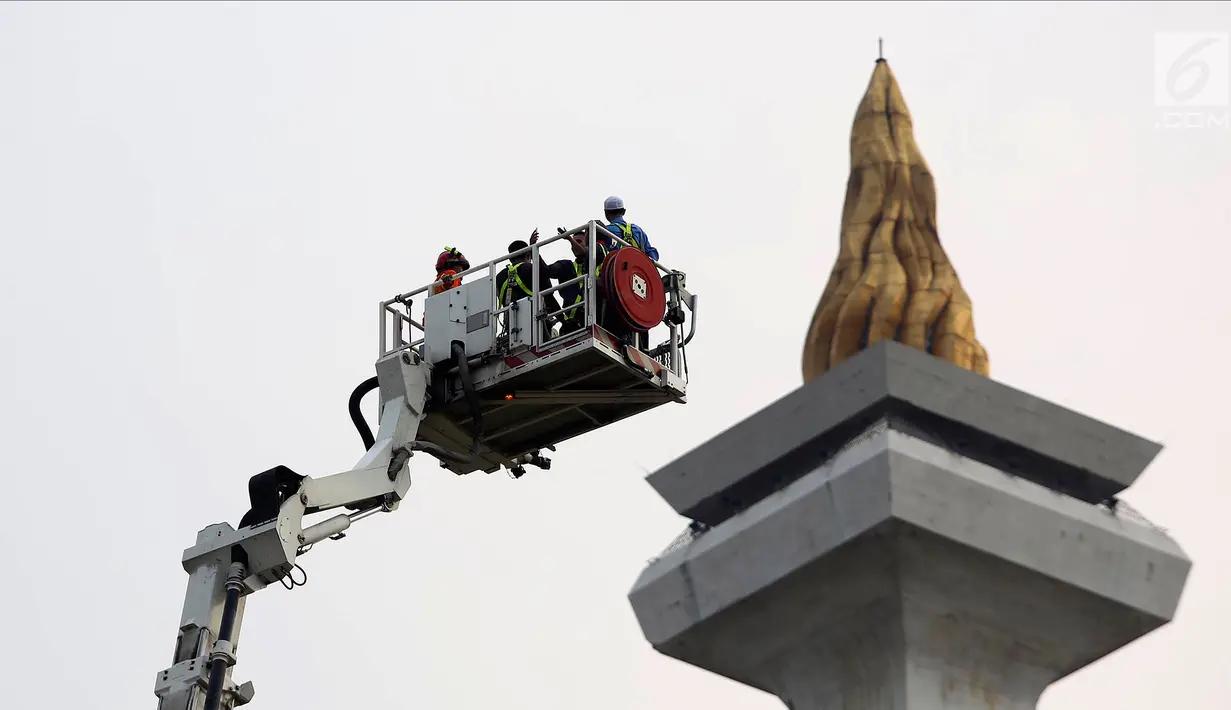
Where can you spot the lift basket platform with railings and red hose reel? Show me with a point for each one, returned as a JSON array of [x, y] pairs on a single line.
[[535, 392]]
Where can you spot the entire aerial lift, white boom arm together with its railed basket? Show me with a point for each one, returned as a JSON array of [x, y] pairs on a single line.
[[477, 385]]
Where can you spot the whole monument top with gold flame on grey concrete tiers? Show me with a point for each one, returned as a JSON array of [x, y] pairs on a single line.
[[900, 533]]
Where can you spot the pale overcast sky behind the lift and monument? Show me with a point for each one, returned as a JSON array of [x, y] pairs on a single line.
[[202, 205]]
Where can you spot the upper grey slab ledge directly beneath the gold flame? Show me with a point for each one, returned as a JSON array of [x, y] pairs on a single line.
[[935, 401]]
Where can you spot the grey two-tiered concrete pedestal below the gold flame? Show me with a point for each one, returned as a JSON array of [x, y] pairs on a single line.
[[896, 573]]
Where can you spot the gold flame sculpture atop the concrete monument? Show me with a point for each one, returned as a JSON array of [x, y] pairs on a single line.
[[892, 280]]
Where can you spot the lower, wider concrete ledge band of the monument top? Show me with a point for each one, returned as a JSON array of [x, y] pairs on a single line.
[[897, 485]]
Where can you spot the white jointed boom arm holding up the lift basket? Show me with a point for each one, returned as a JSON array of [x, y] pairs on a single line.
[[226, 565]]
